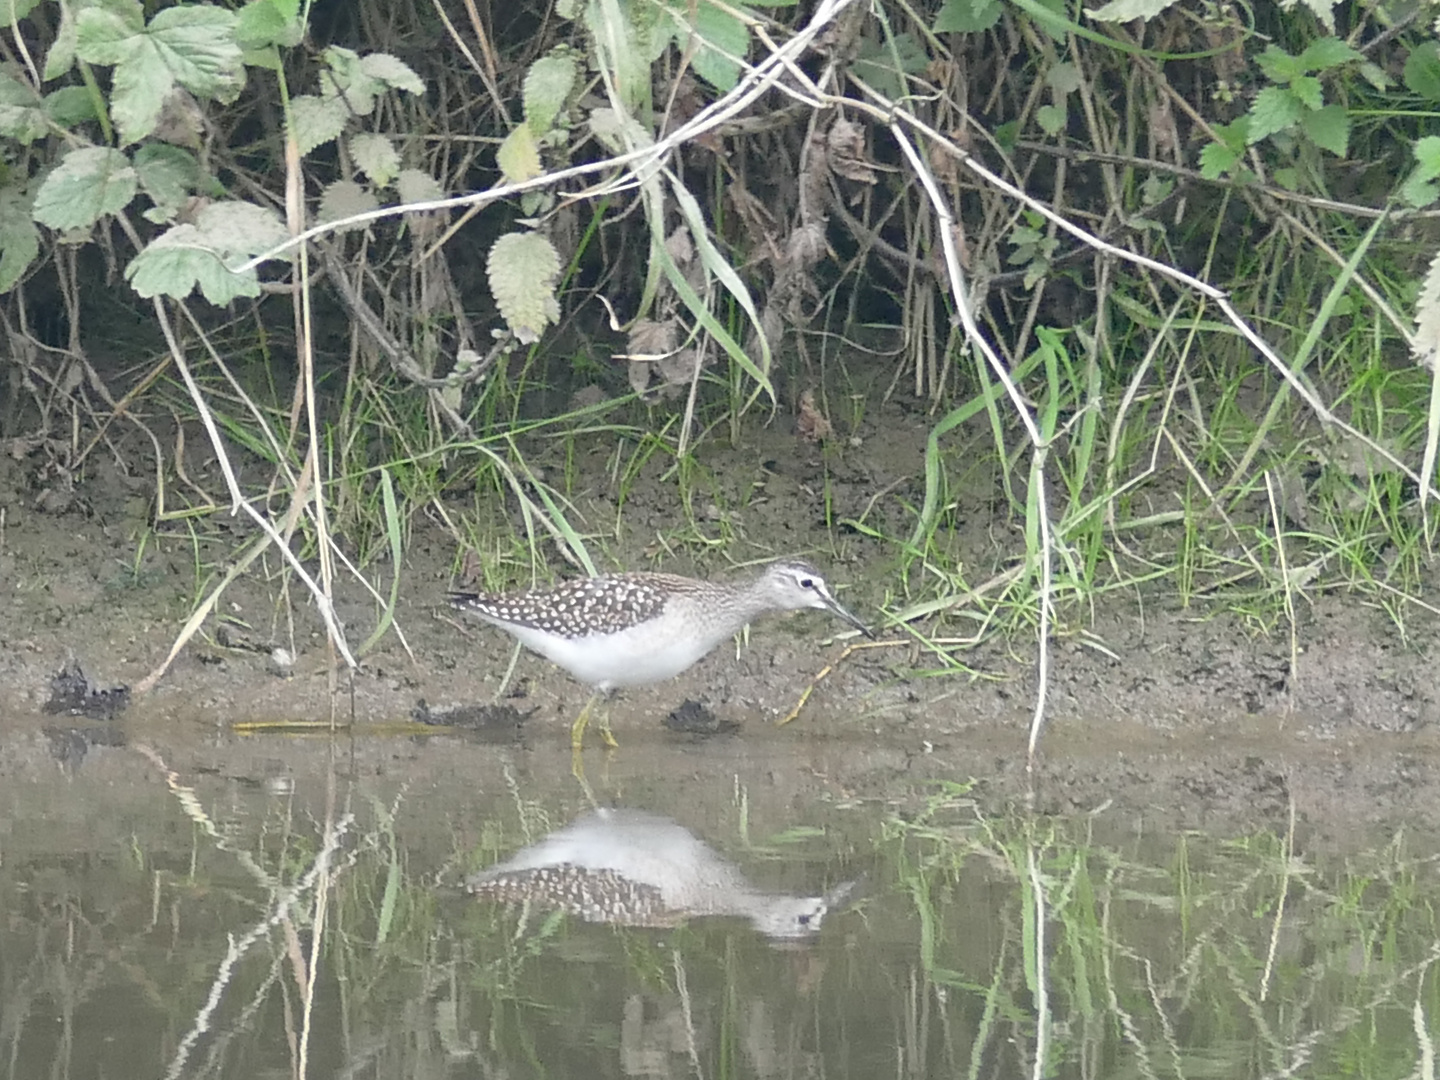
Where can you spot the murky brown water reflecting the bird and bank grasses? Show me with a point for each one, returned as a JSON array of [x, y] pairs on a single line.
[[202, 904]]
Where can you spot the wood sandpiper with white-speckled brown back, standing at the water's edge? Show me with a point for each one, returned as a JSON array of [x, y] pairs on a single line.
[[629, 630]]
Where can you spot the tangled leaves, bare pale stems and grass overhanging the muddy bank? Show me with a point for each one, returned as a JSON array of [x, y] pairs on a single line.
[[1154, 273]]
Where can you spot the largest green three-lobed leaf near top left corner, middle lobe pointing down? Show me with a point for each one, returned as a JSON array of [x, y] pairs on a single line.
[[194, 47]]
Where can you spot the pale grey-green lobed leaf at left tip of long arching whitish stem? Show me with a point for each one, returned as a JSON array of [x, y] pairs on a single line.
[[191, 256]]
